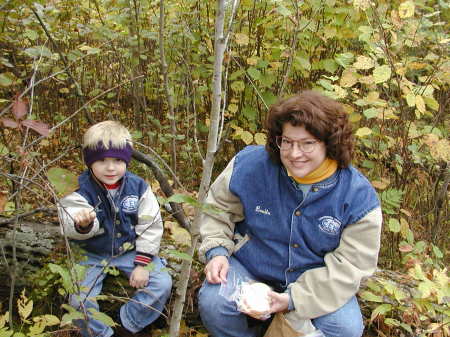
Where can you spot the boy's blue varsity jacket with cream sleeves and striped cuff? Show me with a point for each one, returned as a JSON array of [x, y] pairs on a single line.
[[132, 216]]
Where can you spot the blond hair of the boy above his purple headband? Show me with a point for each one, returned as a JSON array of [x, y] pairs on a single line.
[[107, 133]]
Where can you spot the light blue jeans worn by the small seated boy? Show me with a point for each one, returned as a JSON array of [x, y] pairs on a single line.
[[145, 306]]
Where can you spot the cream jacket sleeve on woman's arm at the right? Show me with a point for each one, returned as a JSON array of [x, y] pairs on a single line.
[[323, 290]]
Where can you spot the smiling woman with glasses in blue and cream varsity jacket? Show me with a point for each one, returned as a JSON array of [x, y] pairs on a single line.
[[297, 216]]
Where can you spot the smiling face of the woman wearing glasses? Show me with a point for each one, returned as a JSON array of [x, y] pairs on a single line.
[[296, 161]]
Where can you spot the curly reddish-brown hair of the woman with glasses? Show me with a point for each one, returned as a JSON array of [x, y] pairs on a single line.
[[321, 116]]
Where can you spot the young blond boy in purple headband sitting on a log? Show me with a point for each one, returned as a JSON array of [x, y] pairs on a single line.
[[115, 218]]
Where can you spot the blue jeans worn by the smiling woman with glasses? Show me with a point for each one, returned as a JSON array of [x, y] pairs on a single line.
[[222, 319]]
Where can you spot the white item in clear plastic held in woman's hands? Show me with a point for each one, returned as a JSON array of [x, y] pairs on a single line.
[[255, 297]]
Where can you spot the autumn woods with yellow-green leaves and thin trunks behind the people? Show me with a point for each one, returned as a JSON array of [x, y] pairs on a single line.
[[193, 80]]
